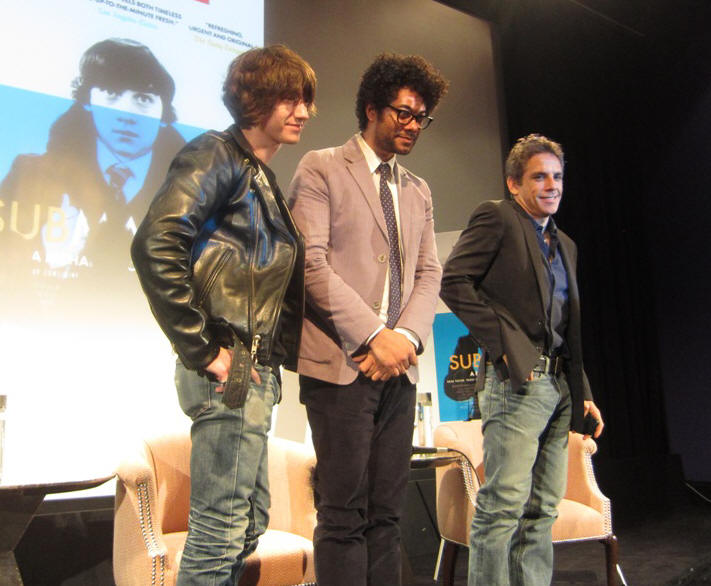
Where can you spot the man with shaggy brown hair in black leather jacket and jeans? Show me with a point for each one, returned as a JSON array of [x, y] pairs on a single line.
[[221, 263]]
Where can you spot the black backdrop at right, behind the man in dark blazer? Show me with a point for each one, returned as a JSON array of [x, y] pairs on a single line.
[[626, 88]]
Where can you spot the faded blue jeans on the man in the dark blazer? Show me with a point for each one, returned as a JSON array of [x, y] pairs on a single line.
[[525, 469]]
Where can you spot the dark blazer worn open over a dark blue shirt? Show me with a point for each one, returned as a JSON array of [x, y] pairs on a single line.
[[495, 280]]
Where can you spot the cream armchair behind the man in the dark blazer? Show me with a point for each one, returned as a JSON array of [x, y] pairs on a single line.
[[584, 513]]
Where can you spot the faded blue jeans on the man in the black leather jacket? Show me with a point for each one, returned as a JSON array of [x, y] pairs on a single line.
[[229, 484]]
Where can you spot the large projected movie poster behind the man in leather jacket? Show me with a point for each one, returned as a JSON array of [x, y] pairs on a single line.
[[96, 97]]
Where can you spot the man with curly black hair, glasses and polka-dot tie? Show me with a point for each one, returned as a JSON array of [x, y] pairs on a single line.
[[372, 279]]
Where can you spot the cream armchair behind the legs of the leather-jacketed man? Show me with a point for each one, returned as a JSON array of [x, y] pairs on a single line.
[[151, 516]]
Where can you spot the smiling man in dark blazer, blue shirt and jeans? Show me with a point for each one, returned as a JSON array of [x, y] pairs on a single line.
[[511, 279]]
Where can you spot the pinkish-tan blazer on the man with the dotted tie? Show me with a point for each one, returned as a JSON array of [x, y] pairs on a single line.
[[337, 208]]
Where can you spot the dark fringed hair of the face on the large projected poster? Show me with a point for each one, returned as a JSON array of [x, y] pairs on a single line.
[[121, 64]]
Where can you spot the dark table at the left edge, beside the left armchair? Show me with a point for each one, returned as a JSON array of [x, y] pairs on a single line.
[[18, 504]]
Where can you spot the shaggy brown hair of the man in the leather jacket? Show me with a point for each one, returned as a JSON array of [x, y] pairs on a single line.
[[259, 78]]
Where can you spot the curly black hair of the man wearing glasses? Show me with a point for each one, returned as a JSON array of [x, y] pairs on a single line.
[[388, 74]]
